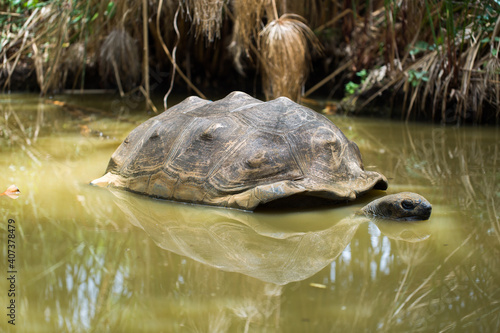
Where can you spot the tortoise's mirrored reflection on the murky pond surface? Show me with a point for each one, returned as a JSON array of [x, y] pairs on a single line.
[[278, 250]]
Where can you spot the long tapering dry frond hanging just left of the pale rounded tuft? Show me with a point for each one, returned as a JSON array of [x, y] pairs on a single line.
[[247, 19]]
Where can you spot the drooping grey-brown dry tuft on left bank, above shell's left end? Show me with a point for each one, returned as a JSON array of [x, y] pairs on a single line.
[[119, 55]]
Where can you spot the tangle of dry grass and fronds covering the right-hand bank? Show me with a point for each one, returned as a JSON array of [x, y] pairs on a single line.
[[460, 73]]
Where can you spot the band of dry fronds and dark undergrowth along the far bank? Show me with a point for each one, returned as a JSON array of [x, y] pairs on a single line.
[[429, 59]]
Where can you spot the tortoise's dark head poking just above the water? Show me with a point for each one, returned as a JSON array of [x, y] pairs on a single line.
[[405, 206]]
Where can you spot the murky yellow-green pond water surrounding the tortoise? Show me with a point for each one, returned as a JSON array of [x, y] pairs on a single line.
[[88, 259]]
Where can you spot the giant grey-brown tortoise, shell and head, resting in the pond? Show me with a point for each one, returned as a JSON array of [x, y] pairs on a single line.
[[240, 152]]
